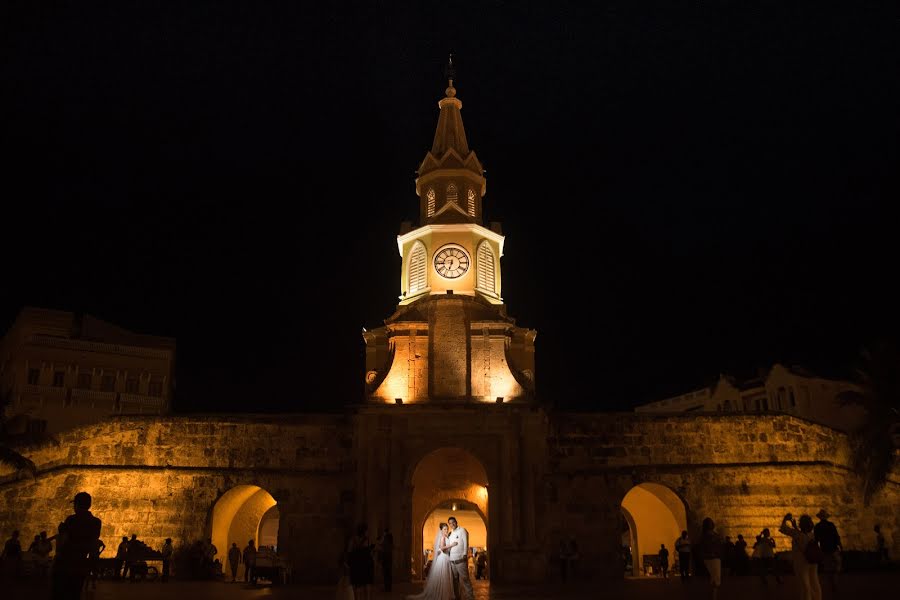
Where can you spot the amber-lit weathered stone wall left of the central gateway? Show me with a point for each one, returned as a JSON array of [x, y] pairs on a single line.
[[161, 478]]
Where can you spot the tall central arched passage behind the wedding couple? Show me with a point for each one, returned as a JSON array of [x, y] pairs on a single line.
[[442, 478]]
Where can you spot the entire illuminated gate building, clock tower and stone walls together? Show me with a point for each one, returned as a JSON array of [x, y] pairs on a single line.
[[450, 424]]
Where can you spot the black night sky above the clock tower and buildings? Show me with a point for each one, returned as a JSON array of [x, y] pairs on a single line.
[[686, 188]]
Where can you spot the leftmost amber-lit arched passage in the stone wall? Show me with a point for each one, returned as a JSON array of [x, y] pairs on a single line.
[[245, 512]]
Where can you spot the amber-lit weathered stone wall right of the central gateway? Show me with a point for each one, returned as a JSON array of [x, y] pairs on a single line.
[[744, 471]]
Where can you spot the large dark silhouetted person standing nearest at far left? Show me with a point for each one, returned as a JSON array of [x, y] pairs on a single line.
[[77, 541]]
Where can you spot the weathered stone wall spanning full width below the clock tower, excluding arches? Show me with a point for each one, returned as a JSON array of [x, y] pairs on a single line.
[[549, 475]]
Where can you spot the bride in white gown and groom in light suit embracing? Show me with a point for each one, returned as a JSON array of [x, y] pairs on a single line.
[[448, 578]]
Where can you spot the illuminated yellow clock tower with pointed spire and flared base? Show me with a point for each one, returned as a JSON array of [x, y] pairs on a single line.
[[450, 339]]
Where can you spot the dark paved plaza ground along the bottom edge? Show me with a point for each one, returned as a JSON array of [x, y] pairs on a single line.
[[863, 586]]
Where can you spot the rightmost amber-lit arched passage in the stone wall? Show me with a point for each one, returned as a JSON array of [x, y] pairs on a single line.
[[655, 515]]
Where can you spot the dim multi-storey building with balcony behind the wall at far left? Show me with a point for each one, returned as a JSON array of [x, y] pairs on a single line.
[[63, 370]]
